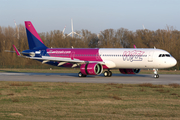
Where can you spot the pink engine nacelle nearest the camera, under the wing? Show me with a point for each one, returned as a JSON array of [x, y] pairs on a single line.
[[91, 69]]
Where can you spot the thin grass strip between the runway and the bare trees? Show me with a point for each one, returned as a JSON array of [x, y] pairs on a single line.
[[76, 70]]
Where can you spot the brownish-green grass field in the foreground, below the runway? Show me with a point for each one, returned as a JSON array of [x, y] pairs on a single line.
[[41, 100]]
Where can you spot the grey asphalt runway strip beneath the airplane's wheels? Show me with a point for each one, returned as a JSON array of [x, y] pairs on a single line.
[[73, 77]]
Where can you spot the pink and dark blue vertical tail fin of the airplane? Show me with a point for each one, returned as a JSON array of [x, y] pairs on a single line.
[[34, 40]]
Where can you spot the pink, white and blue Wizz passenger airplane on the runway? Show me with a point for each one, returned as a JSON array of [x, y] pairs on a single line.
[[93, 61]]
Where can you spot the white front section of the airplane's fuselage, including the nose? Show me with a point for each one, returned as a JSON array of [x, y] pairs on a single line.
[[136, 58]]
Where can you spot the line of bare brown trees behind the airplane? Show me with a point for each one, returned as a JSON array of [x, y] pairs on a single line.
[[167, 39]]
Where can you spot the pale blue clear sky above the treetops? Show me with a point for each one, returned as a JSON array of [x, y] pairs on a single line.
[[93, 15]]
